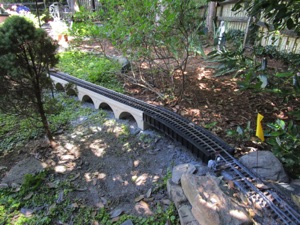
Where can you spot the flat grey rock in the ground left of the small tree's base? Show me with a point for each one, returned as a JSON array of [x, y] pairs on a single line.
[[26, 166]]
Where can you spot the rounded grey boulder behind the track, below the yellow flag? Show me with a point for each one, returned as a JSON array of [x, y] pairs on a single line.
[[265, 165]]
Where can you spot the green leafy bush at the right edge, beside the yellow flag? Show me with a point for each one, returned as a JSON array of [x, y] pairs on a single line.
[[284, 137]]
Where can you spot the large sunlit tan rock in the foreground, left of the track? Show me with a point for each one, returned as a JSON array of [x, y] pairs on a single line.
[[210, 205]]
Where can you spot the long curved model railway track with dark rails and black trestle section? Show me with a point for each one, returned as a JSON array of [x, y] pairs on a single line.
[[206, 146]]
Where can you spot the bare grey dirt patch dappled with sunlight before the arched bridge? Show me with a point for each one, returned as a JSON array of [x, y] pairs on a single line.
[[122, 176]]
